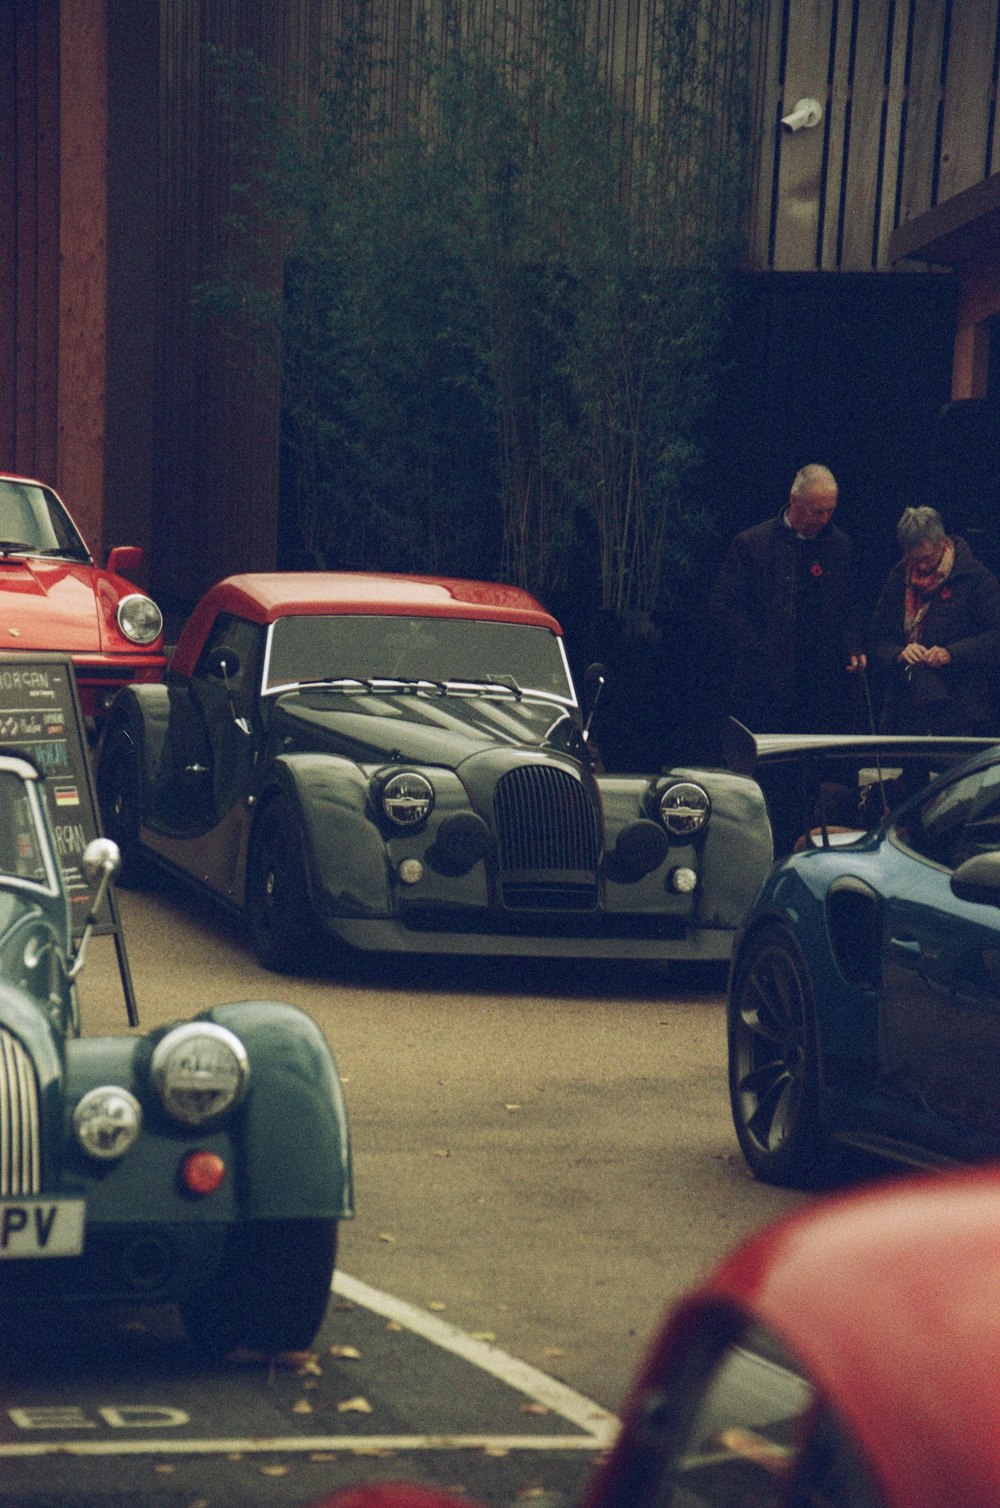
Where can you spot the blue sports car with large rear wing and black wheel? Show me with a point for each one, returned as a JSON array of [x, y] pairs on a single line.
[[865, 984]]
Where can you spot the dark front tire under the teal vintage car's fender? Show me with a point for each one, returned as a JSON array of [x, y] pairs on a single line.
[[271, 1292]]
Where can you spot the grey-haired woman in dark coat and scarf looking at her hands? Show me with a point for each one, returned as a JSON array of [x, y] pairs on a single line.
[[936, 634]]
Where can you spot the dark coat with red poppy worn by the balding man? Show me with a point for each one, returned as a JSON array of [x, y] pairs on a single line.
[[788, 619]]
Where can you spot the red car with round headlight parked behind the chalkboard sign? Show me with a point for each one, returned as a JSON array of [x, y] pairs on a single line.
[[55, 598]]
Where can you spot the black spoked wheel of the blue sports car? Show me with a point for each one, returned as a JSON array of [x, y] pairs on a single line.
[[773, 1062]]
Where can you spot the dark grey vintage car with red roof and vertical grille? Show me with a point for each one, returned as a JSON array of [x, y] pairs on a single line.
[[400, 764]]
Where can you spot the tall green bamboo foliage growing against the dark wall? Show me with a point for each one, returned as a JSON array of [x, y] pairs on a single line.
[[505, 290]]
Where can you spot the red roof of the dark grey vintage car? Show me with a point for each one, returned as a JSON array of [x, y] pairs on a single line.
[[263, 598]]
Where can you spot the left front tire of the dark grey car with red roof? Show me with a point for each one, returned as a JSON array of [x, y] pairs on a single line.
[[277, 900]]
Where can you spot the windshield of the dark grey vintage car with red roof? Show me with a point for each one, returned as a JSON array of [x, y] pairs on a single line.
[[340, 648]]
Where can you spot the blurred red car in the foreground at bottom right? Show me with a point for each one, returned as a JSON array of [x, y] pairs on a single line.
[[845, 1358]]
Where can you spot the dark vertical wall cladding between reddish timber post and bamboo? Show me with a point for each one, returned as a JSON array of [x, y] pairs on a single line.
[[219, 400]]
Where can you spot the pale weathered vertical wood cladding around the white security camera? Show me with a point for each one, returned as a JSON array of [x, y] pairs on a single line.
[[910, 117]]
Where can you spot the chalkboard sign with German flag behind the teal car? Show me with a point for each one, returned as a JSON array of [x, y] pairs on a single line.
[[41, 719]]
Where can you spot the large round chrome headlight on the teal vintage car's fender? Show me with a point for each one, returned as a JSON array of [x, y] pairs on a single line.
[[201, 1071]]
